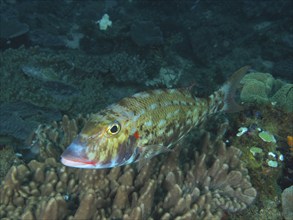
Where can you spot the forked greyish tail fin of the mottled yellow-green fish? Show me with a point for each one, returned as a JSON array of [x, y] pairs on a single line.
[[229, 90]]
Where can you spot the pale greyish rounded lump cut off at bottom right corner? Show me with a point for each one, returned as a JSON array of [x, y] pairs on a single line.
[[287, 200]]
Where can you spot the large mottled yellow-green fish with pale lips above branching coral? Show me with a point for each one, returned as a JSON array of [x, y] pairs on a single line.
[[146, 124]]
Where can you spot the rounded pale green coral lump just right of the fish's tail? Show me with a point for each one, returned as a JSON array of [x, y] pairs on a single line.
[[257, 87]]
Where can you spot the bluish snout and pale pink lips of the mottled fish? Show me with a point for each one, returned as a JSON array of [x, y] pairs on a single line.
[[75, 155]]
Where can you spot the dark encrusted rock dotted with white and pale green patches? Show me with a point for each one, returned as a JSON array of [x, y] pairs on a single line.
[[279, 123]]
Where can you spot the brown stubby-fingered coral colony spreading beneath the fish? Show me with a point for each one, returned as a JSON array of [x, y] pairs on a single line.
[[183, 184]]
